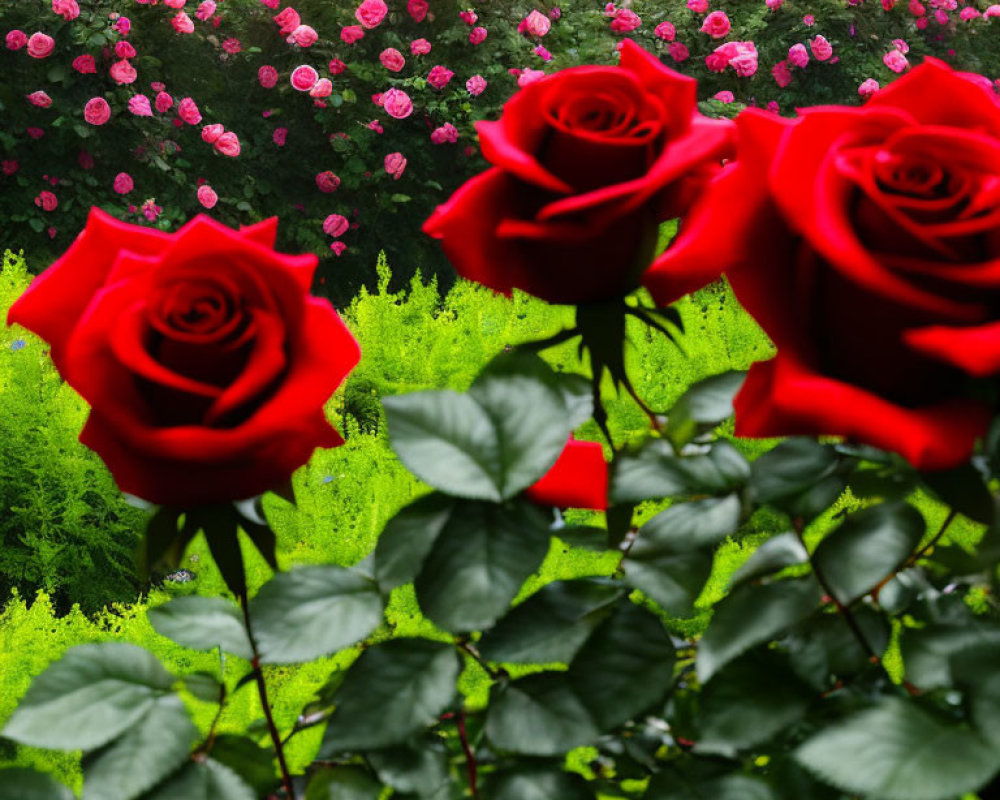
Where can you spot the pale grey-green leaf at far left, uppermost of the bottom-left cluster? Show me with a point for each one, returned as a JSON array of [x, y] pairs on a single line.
[[89, 697]]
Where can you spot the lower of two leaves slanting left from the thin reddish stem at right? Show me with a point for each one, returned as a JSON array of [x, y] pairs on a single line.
[[752, 615]]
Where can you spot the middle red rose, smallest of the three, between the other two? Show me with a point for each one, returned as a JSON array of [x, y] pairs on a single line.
[[587, 162]]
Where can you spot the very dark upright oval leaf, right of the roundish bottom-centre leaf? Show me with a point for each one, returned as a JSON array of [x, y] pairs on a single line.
[[626, 666]]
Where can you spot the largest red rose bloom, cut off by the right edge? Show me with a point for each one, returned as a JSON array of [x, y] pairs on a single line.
[[866, 242]]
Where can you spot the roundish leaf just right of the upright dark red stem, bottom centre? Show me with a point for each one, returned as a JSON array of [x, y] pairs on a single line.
[[539, 715]]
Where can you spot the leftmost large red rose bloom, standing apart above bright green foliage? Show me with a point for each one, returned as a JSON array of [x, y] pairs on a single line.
[[204, 359]]
